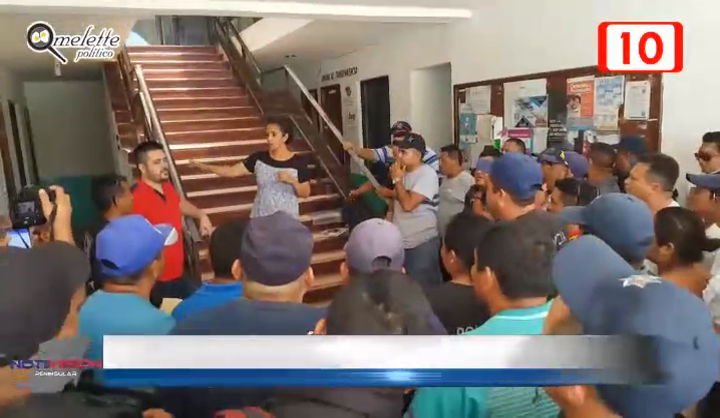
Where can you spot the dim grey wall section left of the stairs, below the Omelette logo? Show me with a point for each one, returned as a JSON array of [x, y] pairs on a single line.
[[70, 128]]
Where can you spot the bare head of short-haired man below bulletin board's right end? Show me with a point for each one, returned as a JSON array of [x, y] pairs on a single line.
[[653, 179]]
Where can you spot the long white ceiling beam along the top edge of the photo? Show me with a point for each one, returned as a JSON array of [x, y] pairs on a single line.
[[240, 8]]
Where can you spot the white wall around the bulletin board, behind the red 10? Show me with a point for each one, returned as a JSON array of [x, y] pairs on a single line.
[[515, 37]]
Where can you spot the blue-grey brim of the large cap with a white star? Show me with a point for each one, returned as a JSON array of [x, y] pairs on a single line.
[[580, 266]]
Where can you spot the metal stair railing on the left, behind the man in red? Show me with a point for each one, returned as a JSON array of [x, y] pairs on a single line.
[[143, 111]]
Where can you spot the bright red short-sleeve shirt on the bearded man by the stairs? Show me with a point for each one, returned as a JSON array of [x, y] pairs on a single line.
[[162, 208]]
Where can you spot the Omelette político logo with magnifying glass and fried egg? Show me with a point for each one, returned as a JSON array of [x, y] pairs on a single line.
[[89, 45]]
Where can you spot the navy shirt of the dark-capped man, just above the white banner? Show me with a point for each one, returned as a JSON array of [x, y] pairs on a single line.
[[252, 317]]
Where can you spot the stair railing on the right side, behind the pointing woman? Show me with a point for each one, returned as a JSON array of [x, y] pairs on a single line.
[[253, 72]]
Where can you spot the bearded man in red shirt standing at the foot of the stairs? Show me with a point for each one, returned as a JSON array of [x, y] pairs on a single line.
[[157, 200]]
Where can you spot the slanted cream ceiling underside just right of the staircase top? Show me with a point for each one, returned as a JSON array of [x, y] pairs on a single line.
[[325, 39]]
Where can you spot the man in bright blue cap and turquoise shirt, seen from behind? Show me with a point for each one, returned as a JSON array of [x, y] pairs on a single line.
[[129, 251]]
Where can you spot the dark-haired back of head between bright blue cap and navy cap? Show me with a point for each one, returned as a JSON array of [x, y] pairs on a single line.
[[224, 249]]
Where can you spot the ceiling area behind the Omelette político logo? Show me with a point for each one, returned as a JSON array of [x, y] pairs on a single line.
[[16, 57]]
